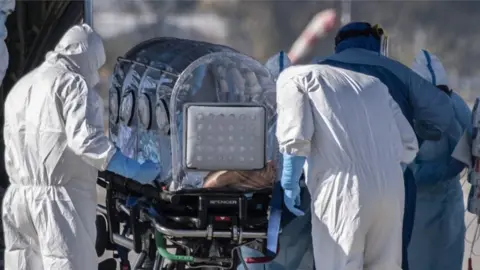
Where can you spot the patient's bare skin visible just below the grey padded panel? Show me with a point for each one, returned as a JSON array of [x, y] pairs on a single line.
[[240, 180]]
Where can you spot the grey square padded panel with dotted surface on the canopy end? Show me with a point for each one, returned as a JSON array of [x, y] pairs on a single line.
[[224, 137]]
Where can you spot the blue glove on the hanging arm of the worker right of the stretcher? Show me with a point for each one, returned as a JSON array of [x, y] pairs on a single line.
[[292, 170]]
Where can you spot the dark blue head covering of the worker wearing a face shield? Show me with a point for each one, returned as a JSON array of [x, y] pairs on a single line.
[[362, 42]]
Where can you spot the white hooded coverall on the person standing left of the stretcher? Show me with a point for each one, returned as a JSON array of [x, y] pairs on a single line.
[[55, 145]]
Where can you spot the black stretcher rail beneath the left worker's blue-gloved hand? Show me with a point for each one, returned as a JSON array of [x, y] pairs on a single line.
[[131, 186]]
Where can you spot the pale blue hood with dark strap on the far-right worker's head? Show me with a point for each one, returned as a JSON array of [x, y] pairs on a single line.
[[430, 68]]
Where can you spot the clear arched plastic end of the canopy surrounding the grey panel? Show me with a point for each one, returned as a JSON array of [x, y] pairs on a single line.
[[225, 77]]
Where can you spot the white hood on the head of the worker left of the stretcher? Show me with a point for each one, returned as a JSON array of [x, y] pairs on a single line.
[[83, 51]]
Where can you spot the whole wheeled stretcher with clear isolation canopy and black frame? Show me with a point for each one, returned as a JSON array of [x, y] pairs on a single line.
[[206, 113]]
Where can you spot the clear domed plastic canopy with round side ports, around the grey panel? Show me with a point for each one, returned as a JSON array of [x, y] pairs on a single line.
[[154, 80]]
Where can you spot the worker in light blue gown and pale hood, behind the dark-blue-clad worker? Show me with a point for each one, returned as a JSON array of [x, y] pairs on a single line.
[[438, 236]]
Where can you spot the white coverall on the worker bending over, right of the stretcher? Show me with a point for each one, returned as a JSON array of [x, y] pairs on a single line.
[[354, 137]]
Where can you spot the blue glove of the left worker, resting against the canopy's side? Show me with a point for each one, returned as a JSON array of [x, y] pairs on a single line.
[[130, 168]]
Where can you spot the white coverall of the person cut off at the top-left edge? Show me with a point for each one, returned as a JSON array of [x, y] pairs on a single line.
[[6, 7]]
